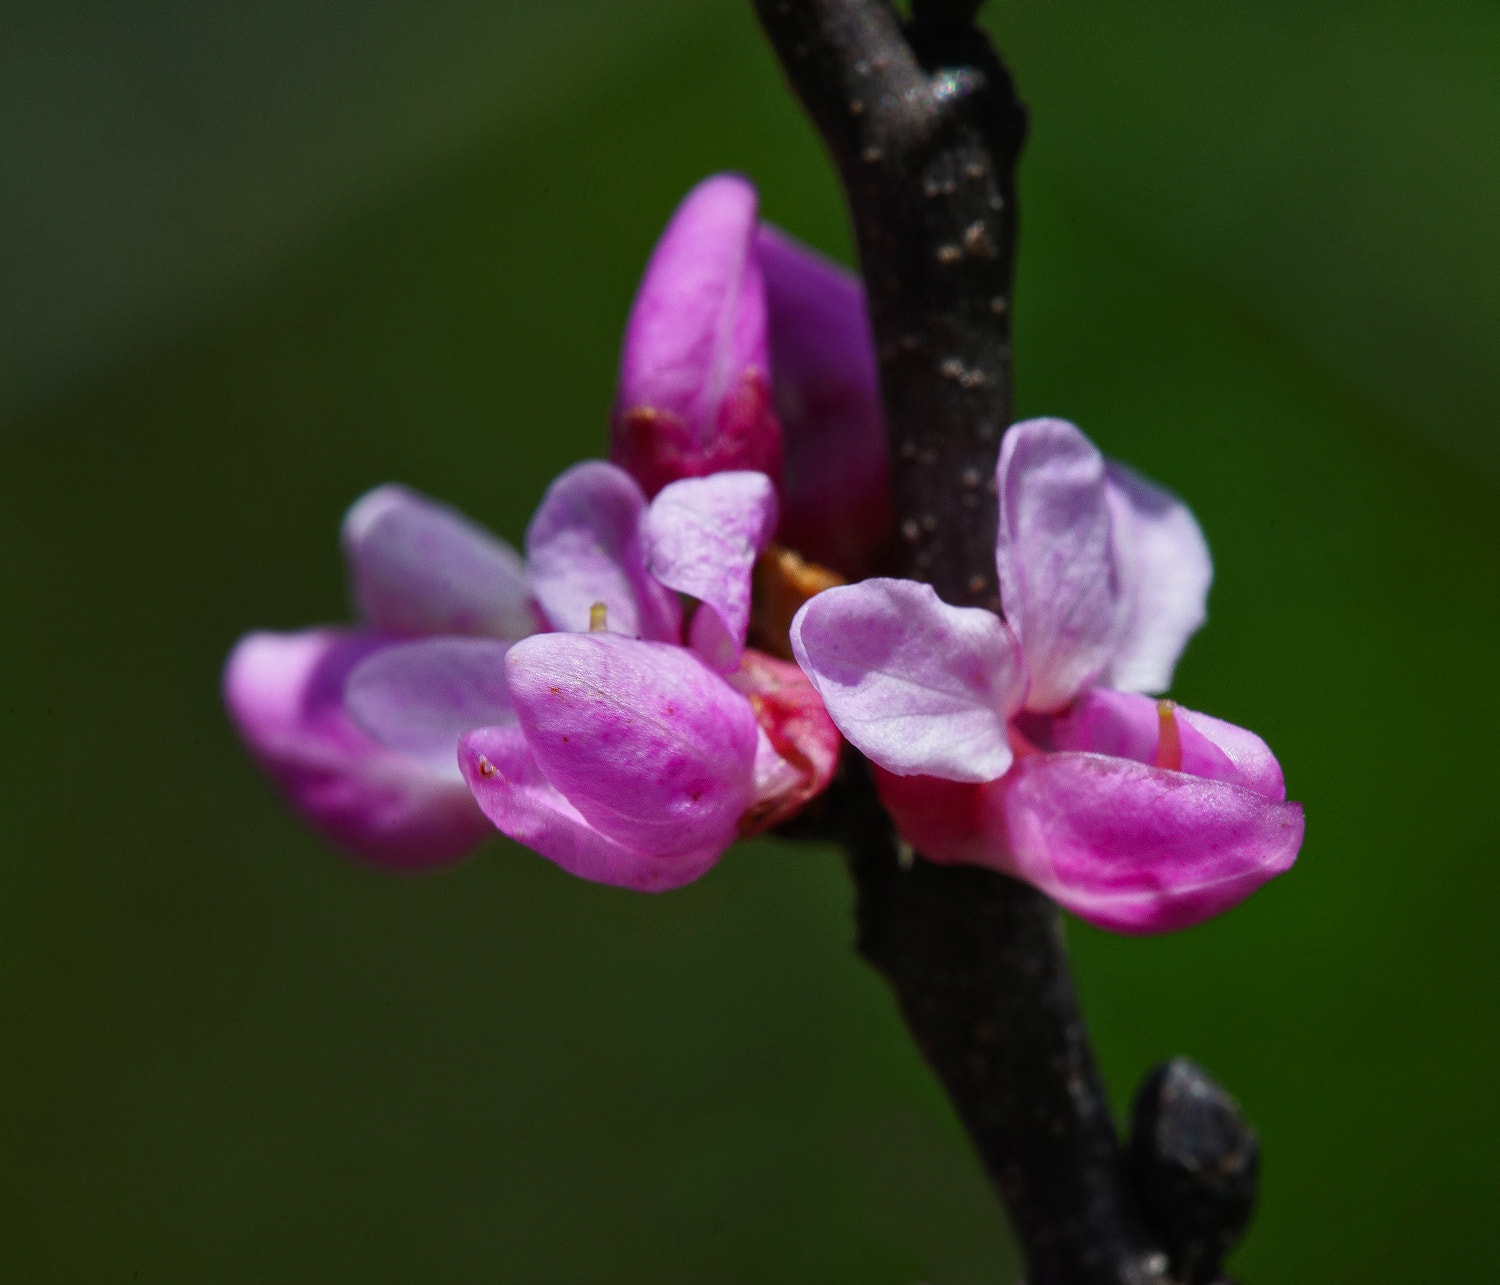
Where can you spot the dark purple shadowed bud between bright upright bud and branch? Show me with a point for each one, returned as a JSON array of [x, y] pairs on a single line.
[[827, 388]]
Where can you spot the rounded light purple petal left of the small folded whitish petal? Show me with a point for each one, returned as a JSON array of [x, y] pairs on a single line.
[[586, 545]]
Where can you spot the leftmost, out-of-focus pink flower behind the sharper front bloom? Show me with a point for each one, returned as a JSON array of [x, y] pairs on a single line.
[[418, 571]]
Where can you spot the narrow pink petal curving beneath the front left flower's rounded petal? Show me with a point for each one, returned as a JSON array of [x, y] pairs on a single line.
[[509, 788]]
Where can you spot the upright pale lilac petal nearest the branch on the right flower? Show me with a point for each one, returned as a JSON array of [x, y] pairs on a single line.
[[1060, 583]]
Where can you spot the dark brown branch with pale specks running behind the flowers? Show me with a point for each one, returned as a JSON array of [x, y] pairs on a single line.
[[925, 127]]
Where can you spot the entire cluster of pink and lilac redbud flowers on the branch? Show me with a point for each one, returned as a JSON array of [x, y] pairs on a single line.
[[598, 699]]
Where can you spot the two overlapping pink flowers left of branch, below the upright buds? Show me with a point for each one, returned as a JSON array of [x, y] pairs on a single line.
[[631, 746]]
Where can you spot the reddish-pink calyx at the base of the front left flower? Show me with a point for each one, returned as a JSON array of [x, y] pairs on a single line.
[[797, 752]]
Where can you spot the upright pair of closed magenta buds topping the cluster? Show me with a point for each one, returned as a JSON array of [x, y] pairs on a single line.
[[737, 335]]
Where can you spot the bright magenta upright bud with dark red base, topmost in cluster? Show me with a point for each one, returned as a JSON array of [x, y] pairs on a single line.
[[694, 374]]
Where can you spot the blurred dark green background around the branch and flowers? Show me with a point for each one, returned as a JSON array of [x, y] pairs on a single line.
[[257, 259]]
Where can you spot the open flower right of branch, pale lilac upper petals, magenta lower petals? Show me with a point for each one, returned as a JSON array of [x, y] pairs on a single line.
[[1025, 746]]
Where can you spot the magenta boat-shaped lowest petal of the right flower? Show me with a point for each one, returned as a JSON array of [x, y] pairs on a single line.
[[1133, 848]]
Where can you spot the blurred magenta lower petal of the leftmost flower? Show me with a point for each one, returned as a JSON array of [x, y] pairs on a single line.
[[286, 693]]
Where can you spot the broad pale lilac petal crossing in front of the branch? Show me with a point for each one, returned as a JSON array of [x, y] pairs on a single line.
[[919, 686]]
